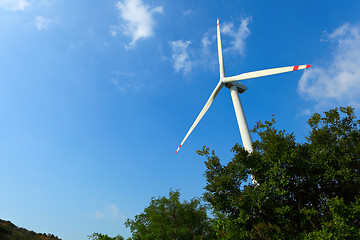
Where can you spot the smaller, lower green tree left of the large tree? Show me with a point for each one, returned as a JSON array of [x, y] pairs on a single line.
[[168, 218]]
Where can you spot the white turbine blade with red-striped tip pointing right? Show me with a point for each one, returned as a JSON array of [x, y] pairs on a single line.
[[266, 72]]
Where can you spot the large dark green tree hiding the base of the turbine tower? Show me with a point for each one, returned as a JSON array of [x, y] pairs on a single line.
[[305, 190]]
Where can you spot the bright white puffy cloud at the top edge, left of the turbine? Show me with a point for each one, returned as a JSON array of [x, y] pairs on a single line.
[[138, 20]]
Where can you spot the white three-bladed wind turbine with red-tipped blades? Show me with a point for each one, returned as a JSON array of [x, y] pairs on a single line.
[[235, 89]]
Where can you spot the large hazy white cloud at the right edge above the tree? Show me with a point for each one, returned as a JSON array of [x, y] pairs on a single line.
[[338, 81]]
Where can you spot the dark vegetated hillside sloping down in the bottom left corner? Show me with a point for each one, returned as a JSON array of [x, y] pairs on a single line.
[[9, 231]]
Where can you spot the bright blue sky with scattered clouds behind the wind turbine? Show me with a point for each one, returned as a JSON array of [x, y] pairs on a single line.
[[95, 97]]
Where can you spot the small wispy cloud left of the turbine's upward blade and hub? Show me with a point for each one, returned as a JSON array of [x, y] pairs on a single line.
[[180, 56]]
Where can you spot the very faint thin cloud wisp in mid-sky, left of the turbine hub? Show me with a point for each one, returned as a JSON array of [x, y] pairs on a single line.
[[125, 81]]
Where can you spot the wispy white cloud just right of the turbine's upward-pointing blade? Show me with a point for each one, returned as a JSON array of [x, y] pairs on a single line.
[[238, 35]]
